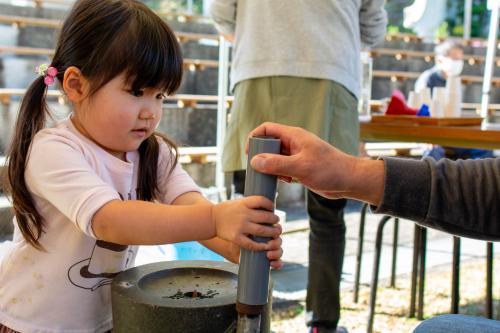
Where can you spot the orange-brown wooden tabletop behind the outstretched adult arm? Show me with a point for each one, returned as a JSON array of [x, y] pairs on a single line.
[[453, 136]]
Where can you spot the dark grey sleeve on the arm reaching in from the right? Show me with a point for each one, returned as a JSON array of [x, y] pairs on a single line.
[[459, 197]]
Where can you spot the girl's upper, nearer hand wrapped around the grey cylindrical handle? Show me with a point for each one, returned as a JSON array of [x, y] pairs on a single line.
[[235, 220]]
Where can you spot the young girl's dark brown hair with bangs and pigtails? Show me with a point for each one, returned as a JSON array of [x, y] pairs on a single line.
[[103, 38]]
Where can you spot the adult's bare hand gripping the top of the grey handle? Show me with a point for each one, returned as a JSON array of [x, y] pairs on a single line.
[[319, 166]]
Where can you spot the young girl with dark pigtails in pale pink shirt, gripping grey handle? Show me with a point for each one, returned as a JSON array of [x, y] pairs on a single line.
[[102, 179]]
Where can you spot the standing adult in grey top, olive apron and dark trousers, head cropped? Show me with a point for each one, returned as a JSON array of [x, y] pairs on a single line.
[[297, 62]]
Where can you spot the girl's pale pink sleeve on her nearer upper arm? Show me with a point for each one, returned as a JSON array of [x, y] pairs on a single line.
[[58, 172]]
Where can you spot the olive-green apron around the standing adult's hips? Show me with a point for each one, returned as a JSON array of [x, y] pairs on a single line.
[[323, 107]]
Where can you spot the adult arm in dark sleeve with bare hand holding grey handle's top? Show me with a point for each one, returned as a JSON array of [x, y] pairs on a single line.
[[460, 197]]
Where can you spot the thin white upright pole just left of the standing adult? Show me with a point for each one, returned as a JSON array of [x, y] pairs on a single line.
[[221, 113]]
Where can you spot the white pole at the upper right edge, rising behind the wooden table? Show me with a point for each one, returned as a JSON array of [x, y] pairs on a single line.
[[490, 57]]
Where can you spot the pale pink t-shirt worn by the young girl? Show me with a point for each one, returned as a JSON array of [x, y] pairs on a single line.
[[66, 288]]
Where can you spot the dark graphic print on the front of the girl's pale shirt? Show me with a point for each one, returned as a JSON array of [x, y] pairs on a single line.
[[105, 262]]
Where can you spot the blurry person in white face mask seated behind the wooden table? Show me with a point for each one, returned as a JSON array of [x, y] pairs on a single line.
[[449, 62]]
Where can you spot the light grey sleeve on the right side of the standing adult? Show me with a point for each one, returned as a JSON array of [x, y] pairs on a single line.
[[372, 21]]
